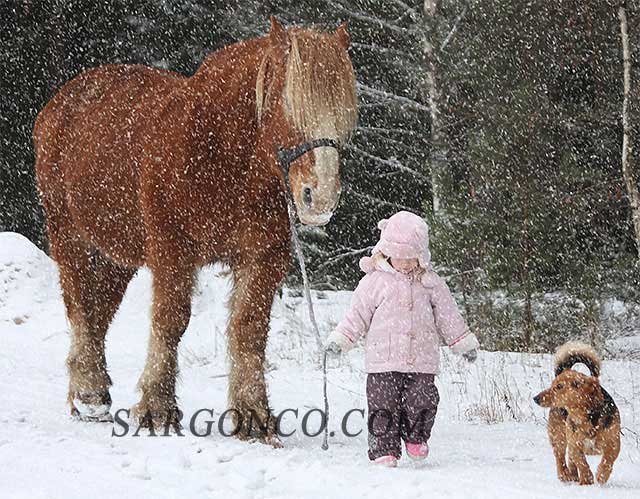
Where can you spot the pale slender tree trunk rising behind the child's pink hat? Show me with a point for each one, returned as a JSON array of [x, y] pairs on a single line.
[[439, 153]]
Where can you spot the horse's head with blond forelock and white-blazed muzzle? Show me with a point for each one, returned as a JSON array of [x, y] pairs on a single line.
[[305, 91]]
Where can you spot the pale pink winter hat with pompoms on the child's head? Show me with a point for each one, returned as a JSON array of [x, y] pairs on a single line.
[[404, 235]]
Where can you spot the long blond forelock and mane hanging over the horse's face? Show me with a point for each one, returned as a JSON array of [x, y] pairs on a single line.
[[319, 90]]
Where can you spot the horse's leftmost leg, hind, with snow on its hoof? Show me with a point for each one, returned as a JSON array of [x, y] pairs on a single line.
[[93, 288]]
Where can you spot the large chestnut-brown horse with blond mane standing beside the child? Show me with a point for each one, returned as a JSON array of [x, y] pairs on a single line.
[[138, 166]]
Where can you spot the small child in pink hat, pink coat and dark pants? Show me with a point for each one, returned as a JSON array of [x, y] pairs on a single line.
[[404, 309]]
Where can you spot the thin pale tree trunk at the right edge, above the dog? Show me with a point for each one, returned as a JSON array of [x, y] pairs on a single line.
[[627, 167]]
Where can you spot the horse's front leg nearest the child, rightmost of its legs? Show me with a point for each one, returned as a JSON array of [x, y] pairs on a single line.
[[255, 284]]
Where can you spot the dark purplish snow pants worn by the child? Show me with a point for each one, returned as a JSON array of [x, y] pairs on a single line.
[[402, 406]]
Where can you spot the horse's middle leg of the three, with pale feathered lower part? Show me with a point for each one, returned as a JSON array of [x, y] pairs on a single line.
[[172, 288]]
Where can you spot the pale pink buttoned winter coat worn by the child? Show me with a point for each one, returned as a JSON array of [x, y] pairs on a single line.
[[404, 318]]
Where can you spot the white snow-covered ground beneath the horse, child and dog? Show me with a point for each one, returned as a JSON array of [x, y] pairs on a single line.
[[489, 439]]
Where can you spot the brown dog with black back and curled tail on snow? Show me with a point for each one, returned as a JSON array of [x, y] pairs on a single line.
[[584, 418]]
